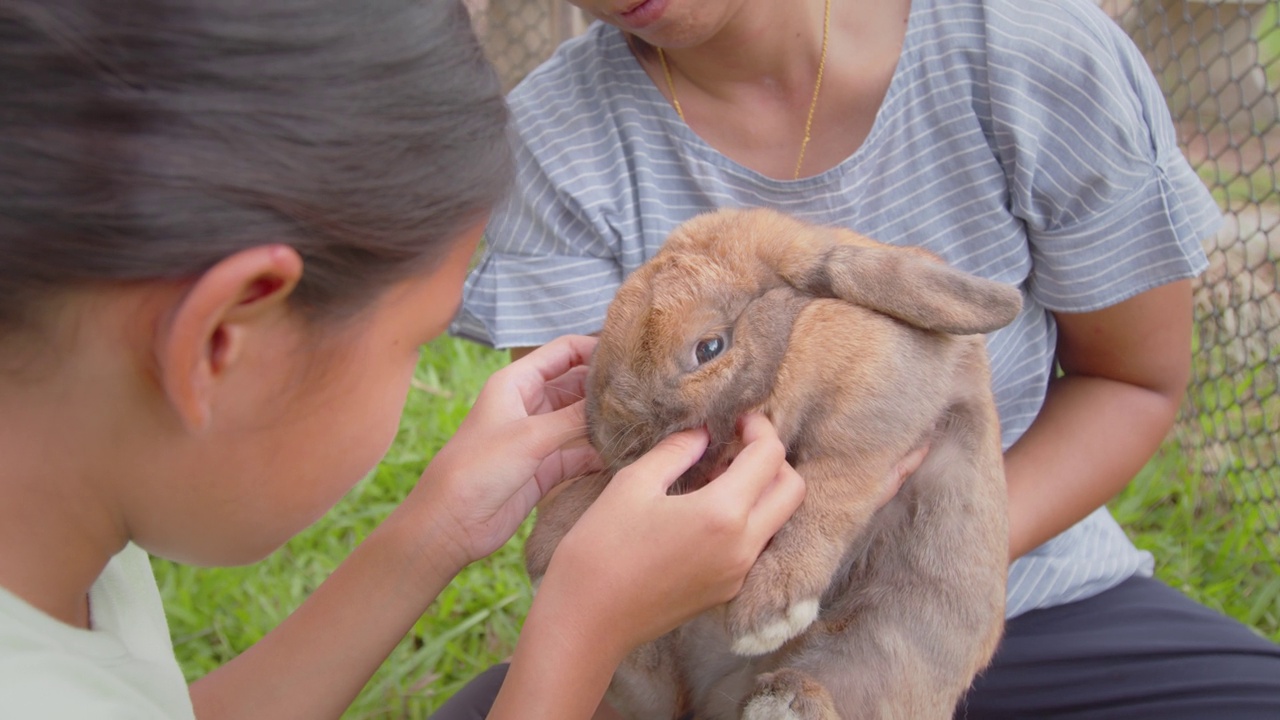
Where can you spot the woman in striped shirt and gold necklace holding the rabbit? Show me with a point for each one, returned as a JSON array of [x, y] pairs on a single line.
[[1023, 142]]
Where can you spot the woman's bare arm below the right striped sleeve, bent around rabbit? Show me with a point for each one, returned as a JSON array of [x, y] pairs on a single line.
[[1124, 372]]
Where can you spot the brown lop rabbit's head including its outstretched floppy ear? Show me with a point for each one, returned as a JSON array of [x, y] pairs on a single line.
[[697, 335]]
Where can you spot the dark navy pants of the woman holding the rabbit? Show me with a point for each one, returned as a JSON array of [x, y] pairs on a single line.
[[1137, 651]]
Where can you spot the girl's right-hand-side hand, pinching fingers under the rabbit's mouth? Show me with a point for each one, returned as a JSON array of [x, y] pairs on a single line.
[[639, 563]]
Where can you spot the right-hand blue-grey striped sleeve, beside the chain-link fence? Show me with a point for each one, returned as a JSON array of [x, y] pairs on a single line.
[[1112, 206]]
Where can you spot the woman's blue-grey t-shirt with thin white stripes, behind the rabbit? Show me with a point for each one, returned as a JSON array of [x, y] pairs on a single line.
[[1022, 140]]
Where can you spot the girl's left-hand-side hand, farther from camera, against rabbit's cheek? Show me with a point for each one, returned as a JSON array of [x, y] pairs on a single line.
[[525, 435]]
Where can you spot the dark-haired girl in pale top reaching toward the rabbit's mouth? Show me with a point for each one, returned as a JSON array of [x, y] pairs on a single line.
[[220, 229]]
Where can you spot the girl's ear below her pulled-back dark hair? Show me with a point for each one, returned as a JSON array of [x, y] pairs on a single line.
[[205, 334]]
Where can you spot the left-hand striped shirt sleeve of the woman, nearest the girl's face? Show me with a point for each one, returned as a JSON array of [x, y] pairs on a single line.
[[551, 263]]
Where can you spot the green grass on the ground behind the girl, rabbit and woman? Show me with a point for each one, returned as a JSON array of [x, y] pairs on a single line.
[[1203, 548]]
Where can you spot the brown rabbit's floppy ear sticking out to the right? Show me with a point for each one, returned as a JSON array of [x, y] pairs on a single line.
[[907, 284]]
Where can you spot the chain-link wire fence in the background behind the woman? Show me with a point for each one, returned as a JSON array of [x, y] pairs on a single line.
[[1219, 62]]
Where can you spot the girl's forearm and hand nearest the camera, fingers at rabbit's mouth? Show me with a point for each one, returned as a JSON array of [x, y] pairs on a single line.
[[627, 575]]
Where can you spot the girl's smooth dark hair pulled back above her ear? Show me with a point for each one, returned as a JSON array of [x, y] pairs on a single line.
[[150, 139]]
